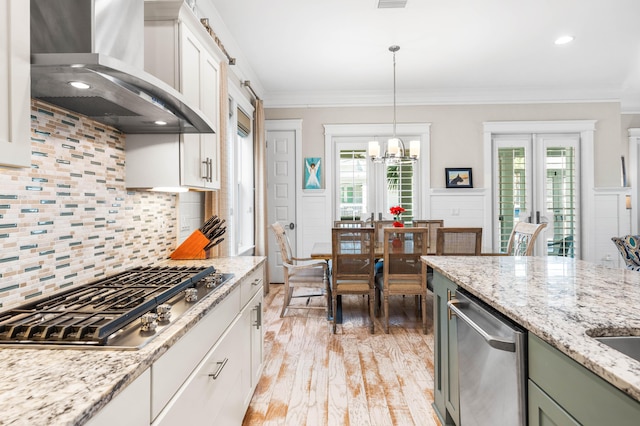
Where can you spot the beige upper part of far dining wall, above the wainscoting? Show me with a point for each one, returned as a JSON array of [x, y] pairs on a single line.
[[456, 131]]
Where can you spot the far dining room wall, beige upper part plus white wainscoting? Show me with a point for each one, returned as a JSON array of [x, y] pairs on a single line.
[[456, 138]]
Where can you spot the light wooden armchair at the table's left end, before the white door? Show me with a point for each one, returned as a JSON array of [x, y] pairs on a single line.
[[300, 272]]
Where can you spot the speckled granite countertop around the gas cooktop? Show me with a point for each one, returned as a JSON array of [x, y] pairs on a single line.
[[68, 386]]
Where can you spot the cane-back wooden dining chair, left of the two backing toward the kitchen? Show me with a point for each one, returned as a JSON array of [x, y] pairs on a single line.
[[353, 267]]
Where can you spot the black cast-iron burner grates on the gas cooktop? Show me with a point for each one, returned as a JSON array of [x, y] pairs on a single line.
[[90, 314]]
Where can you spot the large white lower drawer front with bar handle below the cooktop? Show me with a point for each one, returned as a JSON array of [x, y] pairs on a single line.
[[213, 393]]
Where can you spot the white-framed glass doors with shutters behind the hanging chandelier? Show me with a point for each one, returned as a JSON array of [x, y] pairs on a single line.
[[357, 186]]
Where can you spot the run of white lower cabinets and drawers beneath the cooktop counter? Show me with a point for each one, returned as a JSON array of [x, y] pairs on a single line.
[[208, 376]]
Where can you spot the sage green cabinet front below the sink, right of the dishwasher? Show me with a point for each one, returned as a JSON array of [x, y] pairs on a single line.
[[563, 392]]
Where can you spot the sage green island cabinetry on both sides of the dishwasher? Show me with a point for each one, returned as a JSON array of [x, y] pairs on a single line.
[[560, 391]]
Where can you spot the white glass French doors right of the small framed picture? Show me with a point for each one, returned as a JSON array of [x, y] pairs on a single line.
[[536, 180]]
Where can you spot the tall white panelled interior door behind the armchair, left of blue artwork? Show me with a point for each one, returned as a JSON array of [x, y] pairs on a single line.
[[281, 194]]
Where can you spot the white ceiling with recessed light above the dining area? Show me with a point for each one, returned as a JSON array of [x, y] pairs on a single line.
[[335, 52]]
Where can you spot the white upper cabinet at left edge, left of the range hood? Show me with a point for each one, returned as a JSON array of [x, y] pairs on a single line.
[[15, 84]]
